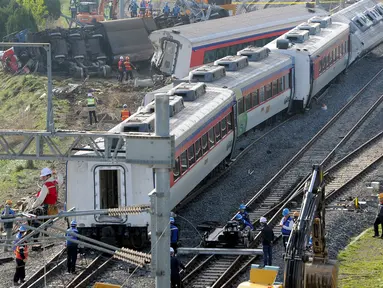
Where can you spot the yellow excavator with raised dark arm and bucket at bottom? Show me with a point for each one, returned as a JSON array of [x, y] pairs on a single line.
[[303, 270]]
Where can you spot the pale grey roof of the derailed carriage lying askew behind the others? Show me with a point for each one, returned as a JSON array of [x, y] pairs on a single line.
[[242, 25]]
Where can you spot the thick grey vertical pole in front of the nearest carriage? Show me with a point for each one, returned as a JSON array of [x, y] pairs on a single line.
[[160, 232]]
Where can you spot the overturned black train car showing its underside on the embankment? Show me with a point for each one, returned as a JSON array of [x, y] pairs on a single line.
[[89, 50]]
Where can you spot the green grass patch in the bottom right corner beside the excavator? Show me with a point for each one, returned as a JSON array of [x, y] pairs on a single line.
[[361, 264]]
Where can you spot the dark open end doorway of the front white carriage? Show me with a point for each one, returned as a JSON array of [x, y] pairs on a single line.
[[110, 191]]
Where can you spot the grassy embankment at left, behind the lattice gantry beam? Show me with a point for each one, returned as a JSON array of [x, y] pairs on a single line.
[[23, 106]]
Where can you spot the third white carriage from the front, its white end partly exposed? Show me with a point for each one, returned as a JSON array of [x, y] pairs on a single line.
[[320, 51]]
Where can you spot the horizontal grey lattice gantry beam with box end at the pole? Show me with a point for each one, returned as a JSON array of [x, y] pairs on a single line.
[[132, 147]]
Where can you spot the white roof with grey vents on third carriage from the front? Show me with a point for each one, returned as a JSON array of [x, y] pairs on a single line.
[[314, 36]]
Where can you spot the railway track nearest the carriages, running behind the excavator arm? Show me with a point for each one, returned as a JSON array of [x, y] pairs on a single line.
[[290, 179]]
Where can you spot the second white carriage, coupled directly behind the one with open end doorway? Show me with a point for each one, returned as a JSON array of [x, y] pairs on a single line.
[[260, 80]]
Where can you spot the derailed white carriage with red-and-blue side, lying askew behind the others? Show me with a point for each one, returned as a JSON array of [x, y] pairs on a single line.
[[180, 49]]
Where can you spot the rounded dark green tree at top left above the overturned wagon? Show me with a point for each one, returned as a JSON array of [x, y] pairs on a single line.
[[21, 19]]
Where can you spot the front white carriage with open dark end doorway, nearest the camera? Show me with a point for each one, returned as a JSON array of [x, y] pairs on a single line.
[[202, 122]]
